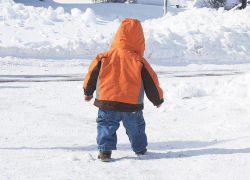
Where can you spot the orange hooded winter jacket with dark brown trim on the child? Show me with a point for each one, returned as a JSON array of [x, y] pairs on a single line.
[[121, 75]]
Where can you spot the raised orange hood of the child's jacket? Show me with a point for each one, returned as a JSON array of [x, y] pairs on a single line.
[[130, 36]]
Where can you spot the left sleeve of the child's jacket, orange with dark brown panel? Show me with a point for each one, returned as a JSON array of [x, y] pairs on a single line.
[[90, 79]]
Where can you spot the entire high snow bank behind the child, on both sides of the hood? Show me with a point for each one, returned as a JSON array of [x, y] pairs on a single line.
[[192, 35]]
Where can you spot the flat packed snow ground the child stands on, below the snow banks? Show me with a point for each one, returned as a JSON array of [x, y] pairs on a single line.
[[47, 131]]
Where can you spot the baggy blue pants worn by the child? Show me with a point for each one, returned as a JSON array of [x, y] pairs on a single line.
[[108, 123]]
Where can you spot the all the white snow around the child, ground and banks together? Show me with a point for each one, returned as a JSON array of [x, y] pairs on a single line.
[[201, 57]]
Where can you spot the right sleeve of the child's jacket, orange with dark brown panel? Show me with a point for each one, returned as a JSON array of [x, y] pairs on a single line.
[[151, 84]]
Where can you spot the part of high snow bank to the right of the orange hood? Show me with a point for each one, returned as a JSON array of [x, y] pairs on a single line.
[[199, 34]]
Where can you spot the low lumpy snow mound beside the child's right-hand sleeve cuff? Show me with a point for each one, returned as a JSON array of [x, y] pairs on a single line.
[[238, 87]]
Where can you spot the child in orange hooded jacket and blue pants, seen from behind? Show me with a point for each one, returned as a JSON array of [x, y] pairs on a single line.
[[120, 77]]
